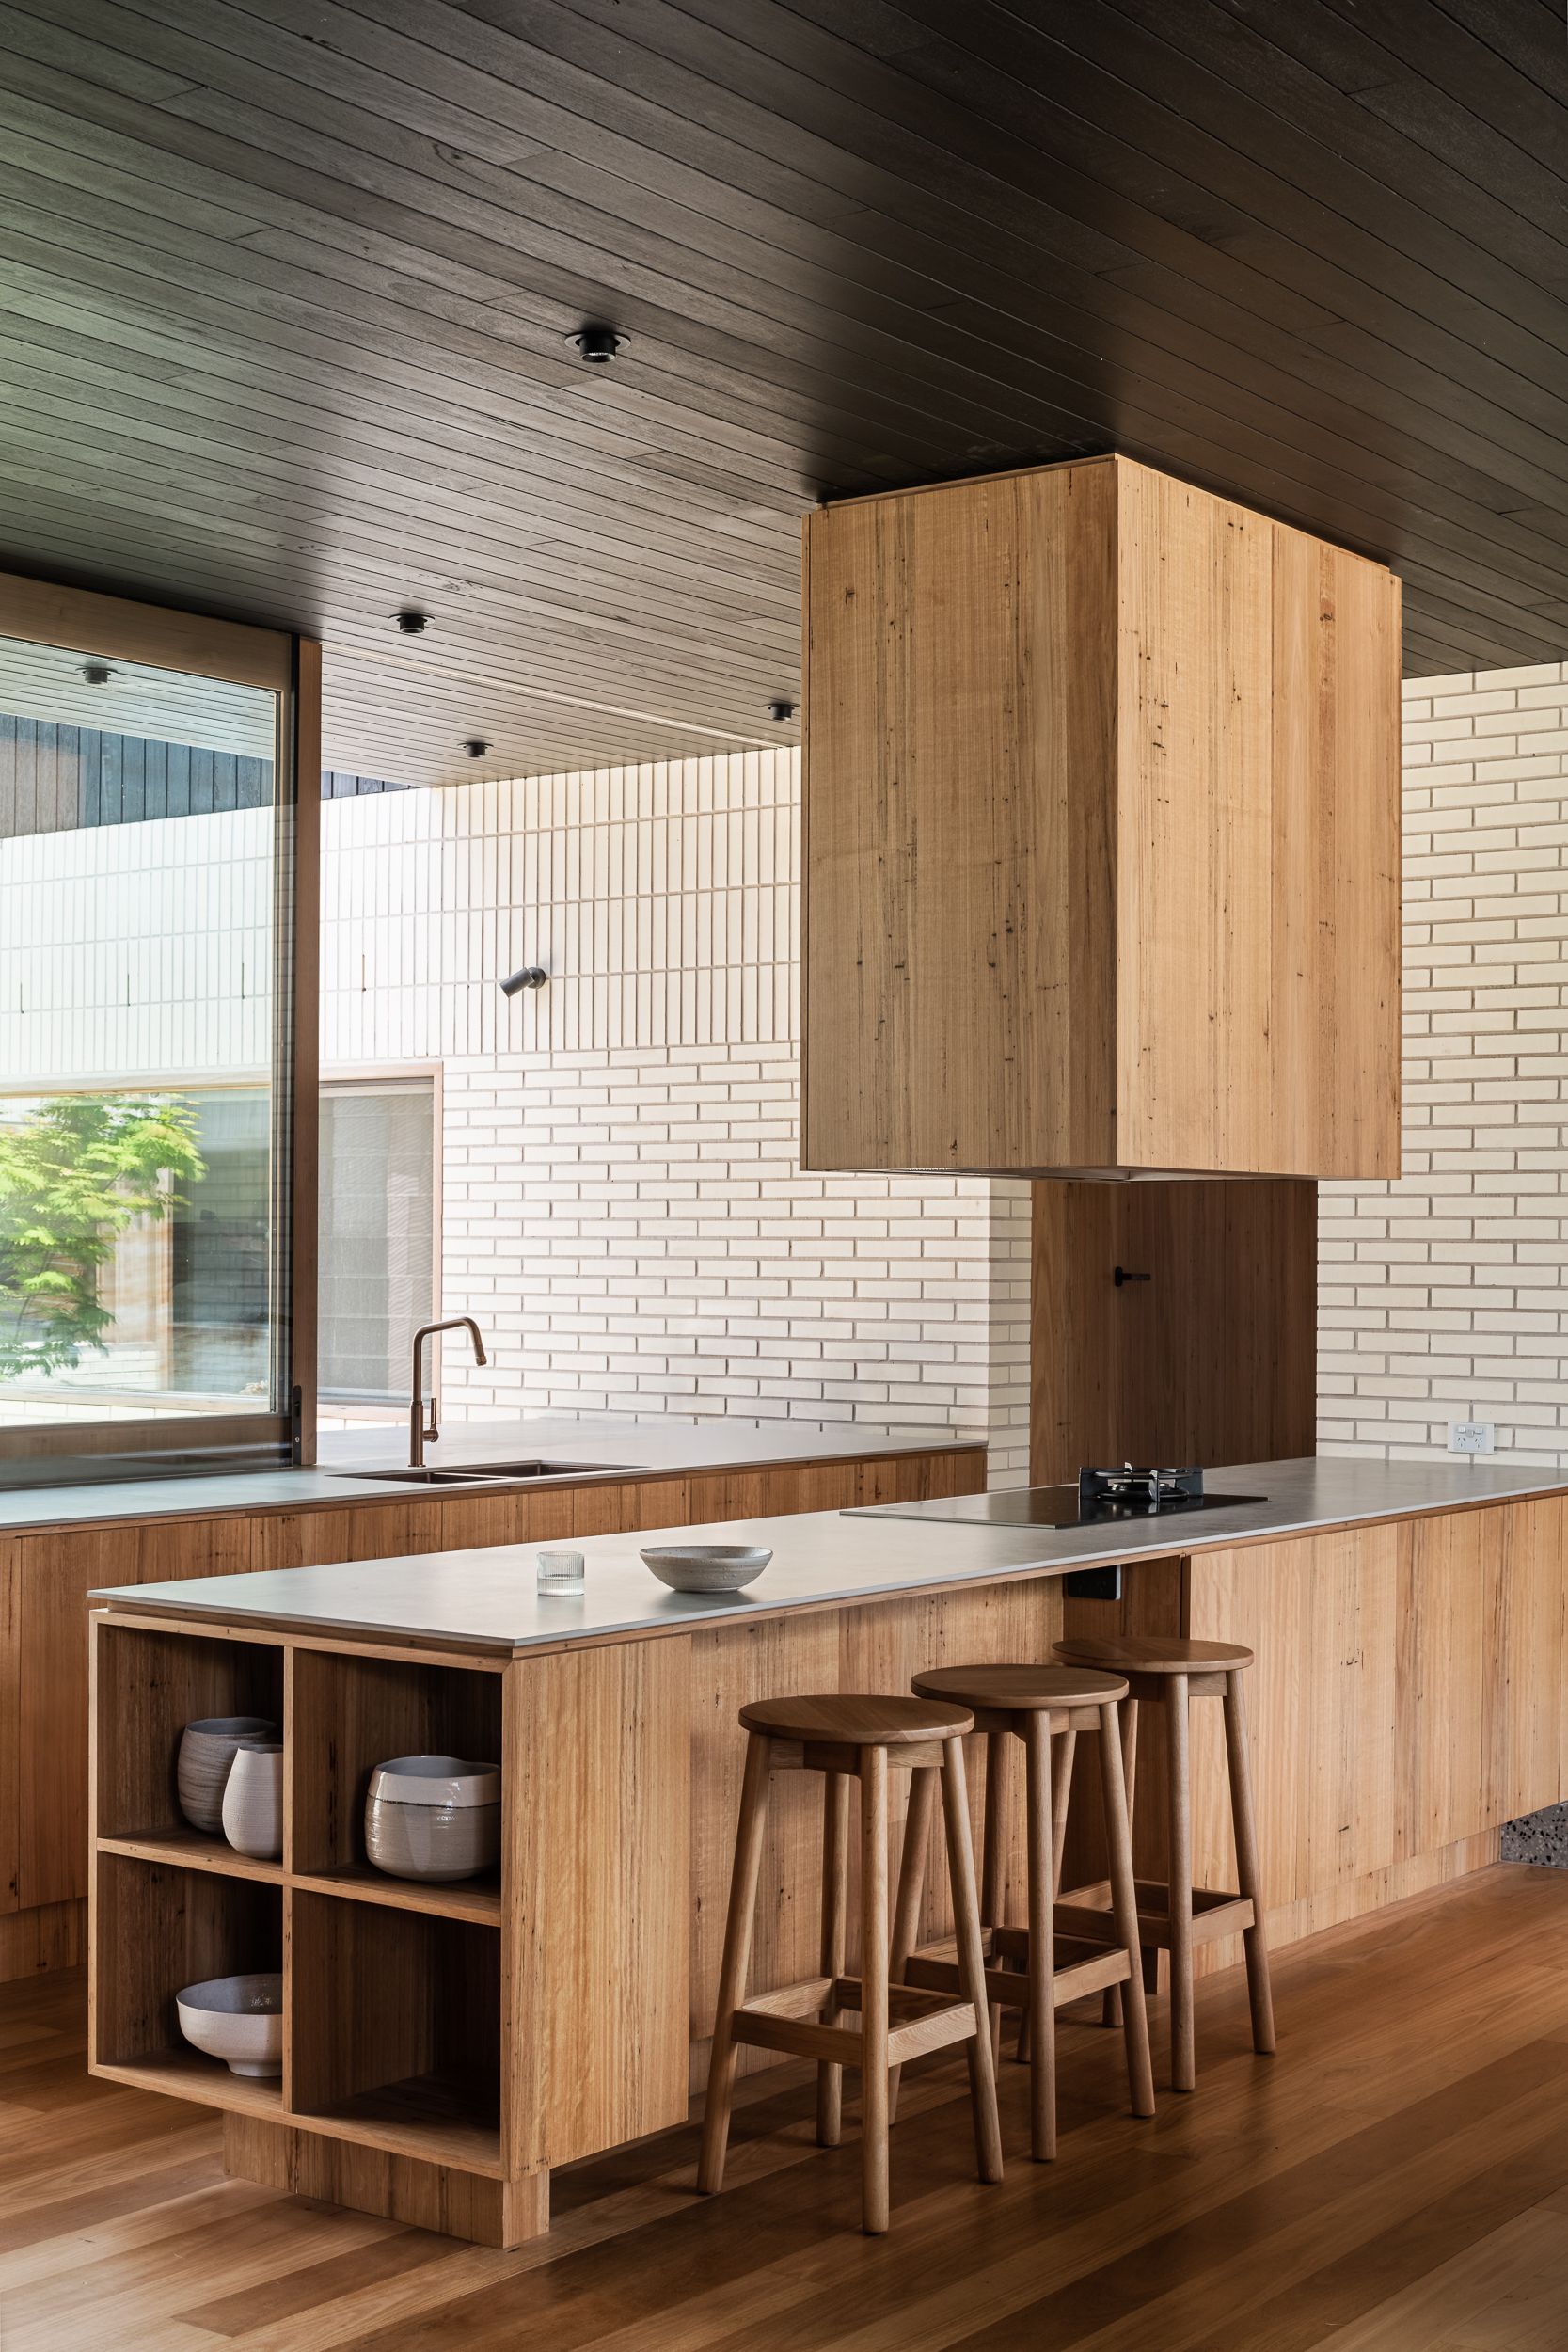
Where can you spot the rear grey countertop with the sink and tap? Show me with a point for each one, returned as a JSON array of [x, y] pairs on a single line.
[[601, 1448]]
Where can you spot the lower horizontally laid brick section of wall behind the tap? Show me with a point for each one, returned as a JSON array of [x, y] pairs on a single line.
[[636, 1236]]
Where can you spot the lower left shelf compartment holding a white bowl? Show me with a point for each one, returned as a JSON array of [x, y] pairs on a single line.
[[161, 1927]]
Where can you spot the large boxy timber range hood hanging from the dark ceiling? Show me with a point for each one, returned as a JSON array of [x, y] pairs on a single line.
[[1101, 860]]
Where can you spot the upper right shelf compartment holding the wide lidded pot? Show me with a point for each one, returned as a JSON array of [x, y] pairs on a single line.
[[351, 1713]]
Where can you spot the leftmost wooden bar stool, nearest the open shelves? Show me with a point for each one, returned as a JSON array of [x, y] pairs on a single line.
[[852, 1739]]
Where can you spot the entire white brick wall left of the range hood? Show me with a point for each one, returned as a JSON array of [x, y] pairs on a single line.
[[624, 1208]]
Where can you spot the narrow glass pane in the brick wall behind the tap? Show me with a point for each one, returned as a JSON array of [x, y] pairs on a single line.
[[377, 1252]]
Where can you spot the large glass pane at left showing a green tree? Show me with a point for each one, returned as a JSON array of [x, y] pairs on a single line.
[[138, 1010]]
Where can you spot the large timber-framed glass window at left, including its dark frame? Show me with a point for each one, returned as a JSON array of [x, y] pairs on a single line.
[[152, 1024]]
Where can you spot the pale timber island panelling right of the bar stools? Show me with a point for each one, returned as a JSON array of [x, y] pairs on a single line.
[[1407, 1702]]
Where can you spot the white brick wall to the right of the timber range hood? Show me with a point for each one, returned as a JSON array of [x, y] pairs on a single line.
[[1442, 1295]]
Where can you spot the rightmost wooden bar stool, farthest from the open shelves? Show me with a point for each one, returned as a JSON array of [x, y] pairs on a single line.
[[1172, 1673]]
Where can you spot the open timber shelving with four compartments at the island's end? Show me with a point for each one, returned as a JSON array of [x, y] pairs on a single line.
[[391, 1991]]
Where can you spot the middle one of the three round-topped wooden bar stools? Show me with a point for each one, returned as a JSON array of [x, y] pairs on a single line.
[[1038, 1706]]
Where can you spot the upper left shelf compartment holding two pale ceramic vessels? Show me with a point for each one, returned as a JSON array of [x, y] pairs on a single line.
[[152, 1685]]
